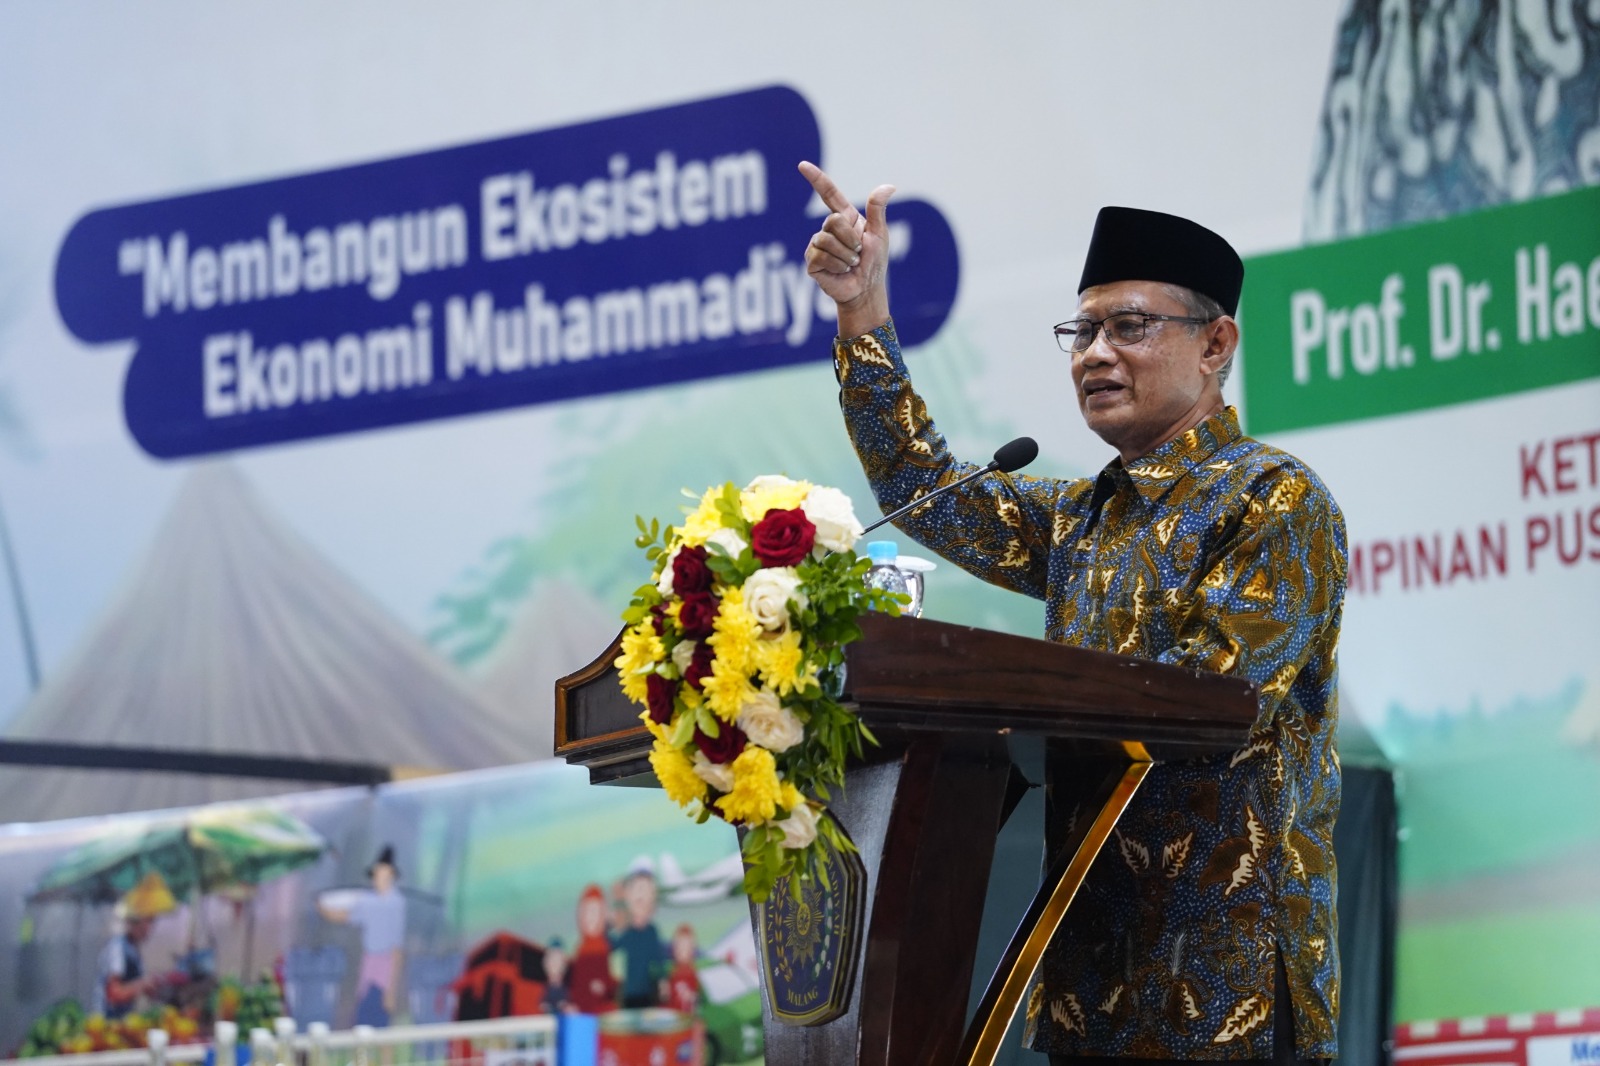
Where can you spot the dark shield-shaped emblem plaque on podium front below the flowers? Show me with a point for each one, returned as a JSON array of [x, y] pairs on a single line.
[[809, 942]]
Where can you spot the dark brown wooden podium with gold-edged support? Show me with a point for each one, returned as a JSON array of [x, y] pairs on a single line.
[[926, 808]]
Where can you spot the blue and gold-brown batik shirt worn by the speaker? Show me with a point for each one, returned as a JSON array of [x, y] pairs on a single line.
[[1217, 553]]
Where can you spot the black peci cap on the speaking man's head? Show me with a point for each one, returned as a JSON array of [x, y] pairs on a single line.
[[1137, 246]]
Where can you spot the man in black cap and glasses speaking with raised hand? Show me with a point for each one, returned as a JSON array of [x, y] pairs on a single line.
[[1206, 929]]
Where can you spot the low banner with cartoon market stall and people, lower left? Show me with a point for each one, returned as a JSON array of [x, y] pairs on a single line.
[[516, 891]]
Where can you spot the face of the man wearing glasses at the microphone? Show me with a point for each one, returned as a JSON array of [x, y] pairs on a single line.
[[1140, 396]]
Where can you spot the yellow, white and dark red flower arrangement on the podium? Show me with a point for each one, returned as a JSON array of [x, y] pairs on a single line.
[[732, 649]]
